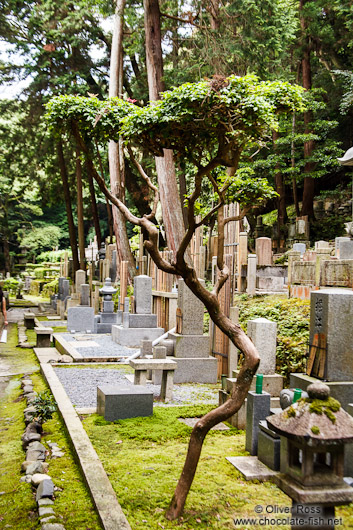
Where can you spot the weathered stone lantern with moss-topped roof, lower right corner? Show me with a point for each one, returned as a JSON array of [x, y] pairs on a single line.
[[313, 433]]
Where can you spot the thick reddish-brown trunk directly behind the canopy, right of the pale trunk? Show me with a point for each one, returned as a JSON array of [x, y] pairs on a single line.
[[168, 188]]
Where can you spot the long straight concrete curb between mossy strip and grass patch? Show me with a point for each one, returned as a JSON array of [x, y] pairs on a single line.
[[103, 495]]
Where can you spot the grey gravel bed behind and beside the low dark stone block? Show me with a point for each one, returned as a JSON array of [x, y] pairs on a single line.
[[81, 384]]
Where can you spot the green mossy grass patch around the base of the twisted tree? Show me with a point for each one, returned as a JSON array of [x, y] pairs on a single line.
[[144, 457]]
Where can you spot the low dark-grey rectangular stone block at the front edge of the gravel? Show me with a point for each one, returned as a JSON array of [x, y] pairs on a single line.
[[116, 402]]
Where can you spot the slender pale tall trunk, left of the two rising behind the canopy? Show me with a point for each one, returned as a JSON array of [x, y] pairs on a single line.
[[116, 155]]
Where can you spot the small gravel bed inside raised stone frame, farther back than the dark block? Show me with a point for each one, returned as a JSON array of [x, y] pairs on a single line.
[[107, 348]]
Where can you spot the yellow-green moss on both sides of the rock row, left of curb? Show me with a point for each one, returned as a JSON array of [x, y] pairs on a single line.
[[18, 510]]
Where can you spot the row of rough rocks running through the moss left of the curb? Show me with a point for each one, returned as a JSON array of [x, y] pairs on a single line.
[[34, 466]]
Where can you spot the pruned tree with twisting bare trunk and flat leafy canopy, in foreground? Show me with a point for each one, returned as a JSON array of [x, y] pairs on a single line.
[[208, 124]]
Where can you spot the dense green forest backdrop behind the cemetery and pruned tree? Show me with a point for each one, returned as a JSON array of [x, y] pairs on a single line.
[[47, 196]]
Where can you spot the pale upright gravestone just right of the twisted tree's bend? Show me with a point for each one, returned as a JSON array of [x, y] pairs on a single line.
[[263, 333]]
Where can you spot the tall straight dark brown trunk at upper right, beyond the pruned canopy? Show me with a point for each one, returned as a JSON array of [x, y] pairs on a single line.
[[309, 184]]
